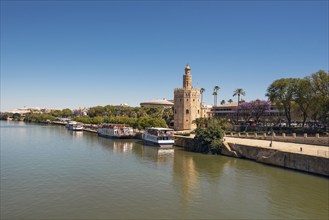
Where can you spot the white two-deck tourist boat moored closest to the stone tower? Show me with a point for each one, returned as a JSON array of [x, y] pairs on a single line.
[[162, 137]]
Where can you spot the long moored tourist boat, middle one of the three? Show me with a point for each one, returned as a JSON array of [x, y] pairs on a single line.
[[116, 131]]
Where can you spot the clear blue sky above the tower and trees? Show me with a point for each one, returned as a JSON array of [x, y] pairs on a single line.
[[59, 54]]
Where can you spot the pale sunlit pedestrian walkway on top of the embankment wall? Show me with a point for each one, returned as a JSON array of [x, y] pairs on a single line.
[[306, 149]]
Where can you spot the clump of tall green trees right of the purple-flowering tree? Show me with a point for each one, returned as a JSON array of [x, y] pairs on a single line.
[[307, 97]]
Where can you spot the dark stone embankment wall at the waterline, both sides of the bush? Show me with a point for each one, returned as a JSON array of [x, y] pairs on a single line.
[[301, 162]]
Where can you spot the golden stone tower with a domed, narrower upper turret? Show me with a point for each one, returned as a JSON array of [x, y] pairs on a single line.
[[186, 103]]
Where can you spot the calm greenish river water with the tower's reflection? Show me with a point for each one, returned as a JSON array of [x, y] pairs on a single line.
[[48, 172]]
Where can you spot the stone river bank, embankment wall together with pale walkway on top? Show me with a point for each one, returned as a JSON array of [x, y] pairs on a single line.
[[301, 157]]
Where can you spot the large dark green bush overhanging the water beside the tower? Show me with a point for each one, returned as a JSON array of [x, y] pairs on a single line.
[[209, 135]]
